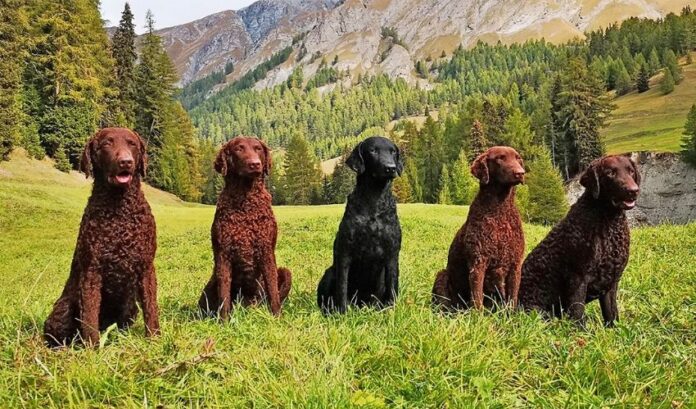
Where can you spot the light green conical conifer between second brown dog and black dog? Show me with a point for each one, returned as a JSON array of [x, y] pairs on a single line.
[[302, 173]]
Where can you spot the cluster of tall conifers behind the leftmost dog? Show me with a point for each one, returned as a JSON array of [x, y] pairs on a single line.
[[62, 79]]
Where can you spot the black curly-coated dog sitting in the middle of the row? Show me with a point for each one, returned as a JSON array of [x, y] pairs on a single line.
[[365, 269]]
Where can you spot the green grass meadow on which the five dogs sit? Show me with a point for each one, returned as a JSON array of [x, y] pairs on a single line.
[[407, 356]]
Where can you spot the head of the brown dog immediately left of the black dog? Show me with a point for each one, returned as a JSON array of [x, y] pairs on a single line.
[[245, 157]]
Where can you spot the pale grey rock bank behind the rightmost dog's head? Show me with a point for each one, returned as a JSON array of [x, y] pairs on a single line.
[[668, 190]]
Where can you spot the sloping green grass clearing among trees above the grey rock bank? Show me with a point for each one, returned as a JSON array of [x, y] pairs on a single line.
[[651, 121]]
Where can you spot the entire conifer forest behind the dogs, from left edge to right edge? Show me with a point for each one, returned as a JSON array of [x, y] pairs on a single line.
[[64, 78]]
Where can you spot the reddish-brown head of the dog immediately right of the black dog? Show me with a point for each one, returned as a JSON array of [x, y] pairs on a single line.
[[500, 165]]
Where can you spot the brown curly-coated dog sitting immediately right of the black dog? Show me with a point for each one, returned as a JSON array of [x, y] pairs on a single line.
[[486, 254]]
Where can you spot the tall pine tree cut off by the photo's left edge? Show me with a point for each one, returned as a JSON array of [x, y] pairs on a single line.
[[11, 48]]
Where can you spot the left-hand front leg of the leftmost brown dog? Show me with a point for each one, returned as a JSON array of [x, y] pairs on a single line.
[[90, 305]]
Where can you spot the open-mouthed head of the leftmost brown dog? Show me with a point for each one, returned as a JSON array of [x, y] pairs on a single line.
[[115, 154]]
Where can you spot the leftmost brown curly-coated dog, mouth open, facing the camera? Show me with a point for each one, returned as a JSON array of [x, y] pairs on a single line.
[[112, 266]]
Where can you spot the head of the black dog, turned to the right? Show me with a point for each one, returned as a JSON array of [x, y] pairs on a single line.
[[378, 157]]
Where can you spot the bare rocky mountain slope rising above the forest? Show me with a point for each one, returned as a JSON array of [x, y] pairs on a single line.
[[352, 31]]
